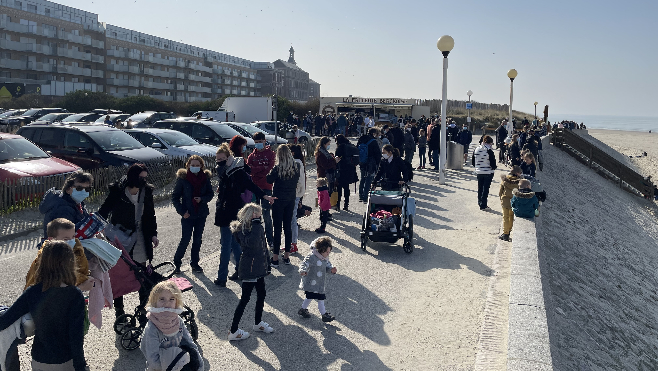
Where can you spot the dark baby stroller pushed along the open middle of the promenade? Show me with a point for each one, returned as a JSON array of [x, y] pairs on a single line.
[[389, 217]]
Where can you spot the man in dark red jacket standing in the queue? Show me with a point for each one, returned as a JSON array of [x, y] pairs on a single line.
[[261, 161]]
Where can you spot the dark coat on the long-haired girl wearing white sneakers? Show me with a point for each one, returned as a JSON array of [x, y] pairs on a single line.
[[255, 258]]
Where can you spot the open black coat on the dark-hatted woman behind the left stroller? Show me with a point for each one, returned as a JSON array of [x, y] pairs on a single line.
[[121, 210]]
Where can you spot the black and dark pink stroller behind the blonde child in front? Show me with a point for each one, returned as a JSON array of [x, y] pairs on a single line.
[[131, 326]]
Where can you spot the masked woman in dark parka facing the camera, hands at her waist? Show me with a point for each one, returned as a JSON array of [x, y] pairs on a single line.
[[191, 195]]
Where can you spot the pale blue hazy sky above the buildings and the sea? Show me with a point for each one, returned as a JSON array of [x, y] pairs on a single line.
[[578, 57]]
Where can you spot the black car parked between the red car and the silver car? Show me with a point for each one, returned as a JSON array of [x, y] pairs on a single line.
[[90, 146]]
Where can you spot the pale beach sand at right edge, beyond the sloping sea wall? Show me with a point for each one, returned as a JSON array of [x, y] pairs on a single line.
[[633, 143]]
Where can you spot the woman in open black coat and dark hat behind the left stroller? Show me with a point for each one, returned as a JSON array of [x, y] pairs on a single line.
[[131, 211]]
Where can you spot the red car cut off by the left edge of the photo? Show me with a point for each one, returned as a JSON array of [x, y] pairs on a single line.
[[20, 158]]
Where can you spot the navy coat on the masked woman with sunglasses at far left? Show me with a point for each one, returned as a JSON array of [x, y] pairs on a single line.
[[57, 204]]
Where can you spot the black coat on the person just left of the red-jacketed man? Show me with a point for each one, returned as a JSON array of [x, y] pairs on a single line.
[[233, 181]]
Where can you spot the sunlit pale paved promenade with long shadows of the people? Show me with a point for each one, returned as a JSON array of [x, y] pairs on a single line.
[[393, 310]]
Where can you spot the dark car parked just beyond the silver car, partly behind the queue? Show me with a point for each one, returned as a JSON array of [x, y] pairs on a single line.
[[206, 132]]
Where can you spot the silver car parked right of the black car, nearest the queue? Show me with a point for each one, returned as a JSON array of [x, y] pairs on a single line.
[[171, 142]]
